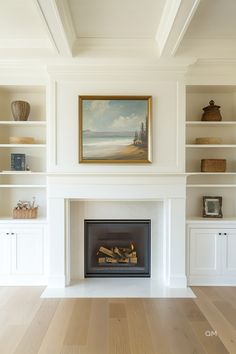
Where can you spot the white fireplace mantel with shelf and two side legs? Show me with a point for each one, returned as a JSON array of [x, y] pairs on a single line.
[[169, 189]]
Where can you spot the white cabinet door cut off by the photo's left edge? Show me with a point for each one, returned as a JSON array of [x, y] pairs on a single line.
[[5, 251]]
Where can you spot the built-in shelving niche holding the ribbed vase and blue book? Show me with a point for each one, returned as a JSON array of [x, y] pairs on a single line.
[[23, 185]]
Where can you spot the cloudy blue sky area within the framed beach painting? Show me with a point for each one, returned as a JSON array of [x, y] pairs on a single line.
[[114, 115]]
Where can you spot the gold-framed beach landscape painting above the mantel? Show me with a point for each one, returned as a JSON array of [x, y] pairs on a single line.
[[115, 129]]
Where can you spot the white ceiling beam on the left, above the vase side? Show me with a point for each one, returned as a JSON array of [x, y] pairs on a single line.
[[57, 18]]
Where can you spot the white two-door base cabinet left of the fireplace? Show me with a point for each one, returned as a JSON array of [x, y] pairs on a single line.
[[23, 254]]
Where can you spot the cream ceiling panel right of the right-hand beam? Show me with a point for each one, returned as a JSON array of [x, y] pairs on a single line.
[[212, 31]]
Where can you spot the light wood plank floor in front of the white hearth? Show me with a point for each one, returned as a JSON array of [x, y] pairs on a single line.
[[30, 325]]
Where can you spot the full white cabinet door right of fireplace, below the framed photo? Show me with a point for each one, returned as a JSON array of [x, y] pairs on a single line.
[[204, 258]]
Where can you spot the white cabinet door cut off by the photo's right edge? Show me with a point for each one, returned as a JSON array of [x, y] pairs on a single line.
[[229, 255]]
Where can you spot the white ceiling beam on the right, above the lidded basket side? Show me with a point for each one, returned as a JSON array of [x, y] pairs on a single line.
[[175, 20]]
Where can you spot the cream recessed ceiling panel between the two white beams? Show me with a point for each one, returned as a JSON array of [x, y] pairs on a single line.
[[116, 19]]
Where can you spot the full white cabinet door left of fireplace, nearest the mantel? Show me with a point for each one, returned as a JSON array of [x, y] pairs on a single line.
[[28, 251]]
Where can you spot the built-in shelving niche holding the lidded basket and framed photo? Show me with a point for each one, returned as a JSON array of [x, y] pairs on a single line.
[[199, 183]]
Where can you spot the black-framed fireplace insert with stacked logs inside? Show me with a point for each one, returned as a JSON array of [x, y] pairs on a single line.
[[117, 248]]
